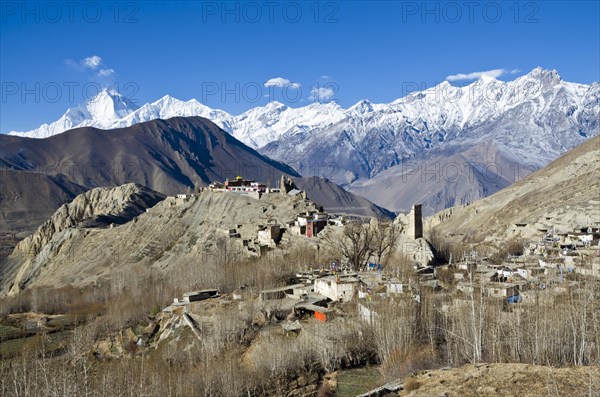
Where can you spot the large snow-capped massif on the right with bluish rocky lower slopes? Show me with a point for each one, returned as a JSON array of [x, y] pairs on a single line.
[[536, 118]]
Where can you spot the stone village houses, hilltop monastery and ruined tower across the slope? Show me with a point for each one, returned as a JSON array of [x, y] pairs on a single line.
[[544, 265]]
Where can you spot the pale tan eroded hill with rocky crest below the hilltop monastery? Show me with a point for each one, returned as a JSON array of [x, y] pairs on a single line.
[[78, 245]]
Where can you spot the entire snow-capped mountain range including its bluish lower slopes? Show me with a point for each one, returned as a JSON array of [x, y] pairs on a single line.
[[532, 119]]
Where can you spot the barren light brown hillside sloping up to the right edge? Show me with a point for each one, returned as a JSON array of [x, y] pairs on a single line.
[[564, 195]]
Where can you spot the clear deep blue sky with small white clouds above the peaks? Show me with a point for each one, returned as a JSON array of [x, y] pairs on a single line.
[[54, 55]]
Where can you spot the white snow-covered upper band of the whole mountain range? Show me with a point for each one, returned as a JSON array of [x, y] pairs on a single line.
[[435, 113]]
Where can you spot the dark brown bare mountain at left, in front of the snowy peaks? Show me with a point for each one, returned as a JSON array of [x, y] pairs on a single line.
[[170, 156]]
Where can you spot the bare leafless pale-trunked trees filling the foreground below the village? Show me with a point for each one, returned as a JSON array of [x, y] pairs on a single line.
[[241, 356]]
